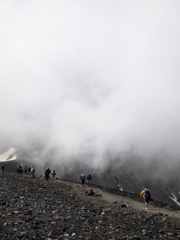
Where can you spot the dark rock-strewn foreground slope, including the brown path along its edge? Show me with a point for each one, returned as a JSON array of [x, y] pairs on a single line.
[[32, 208]]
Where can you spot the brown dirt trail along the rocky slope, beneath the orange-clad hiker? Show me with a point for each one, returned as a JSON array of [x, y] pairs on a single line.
[[113, 199]]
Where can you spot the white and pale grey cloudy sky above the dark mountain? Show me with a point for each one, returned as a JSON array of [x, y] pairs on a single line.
[[91, 76]]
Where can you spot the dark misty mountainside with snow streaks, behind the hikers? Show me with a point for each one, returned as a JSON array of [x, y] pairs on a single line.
[[129, 176]]
